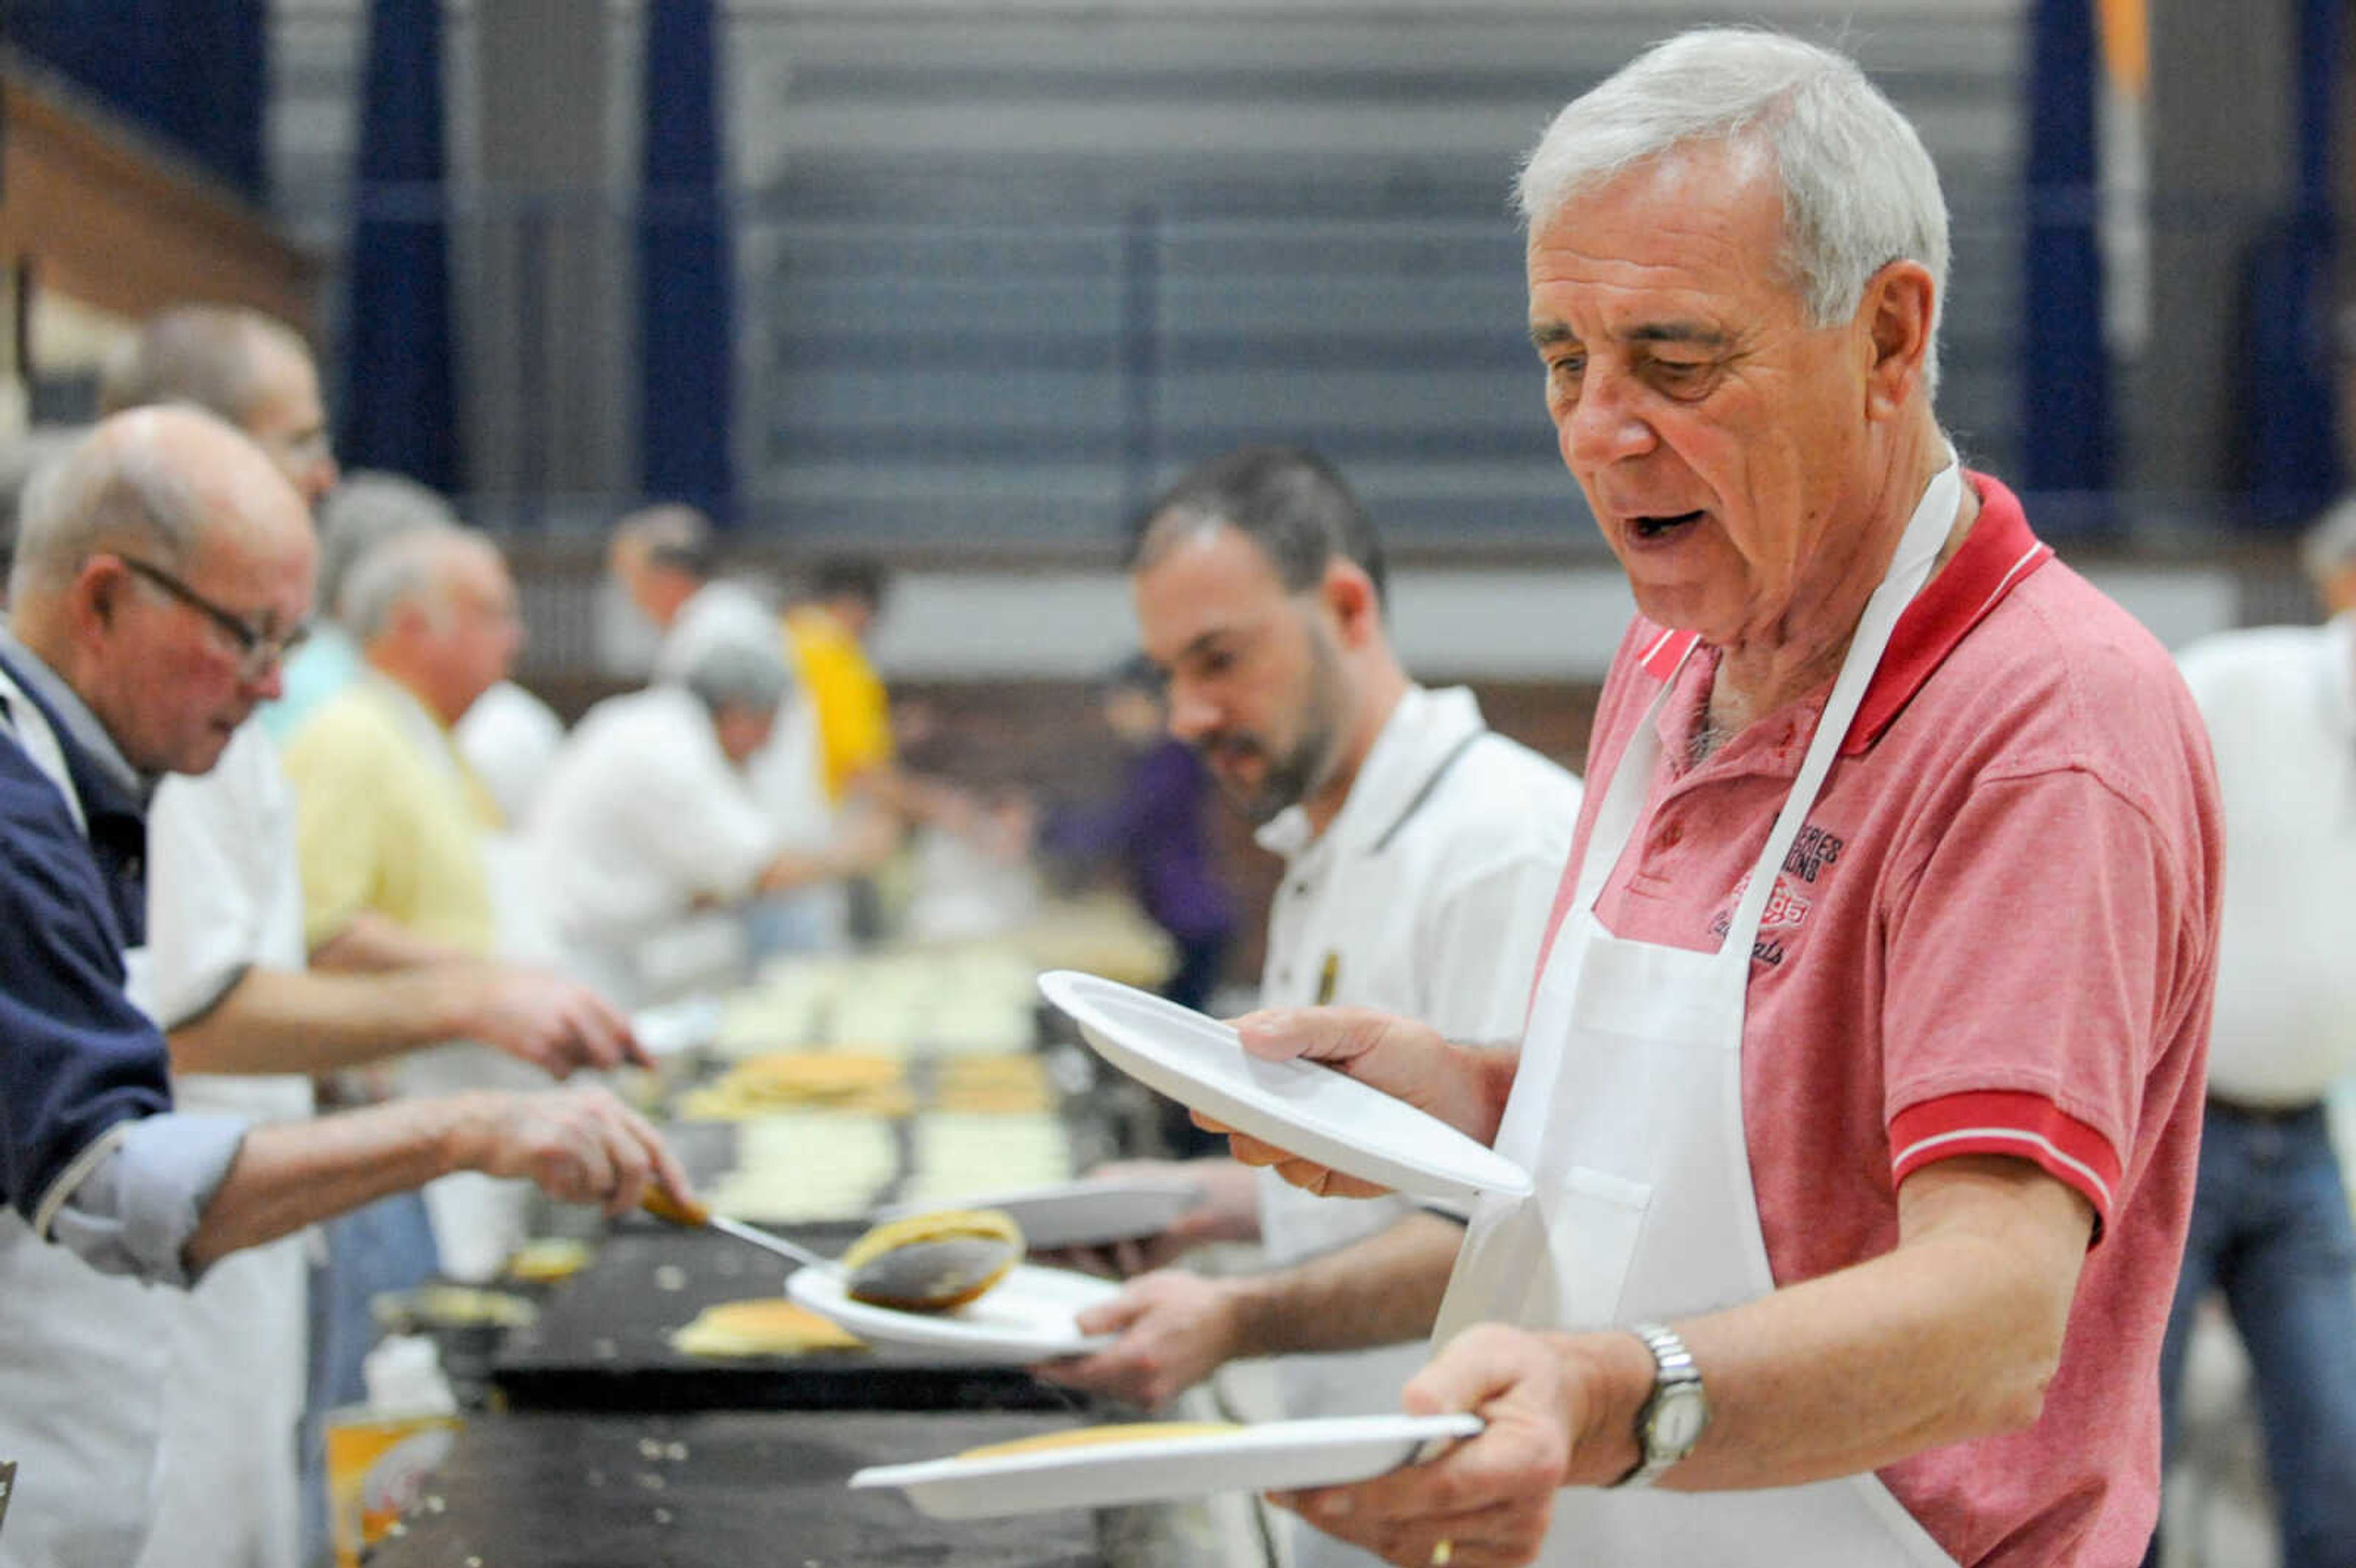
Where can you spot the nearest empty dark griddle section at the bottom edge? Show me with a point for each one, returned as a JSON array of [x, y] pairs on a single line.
[[717, 1491]]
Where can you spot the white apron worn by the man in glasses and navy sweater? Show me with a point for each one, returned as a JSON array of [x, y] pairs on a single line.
[[81, 1357]]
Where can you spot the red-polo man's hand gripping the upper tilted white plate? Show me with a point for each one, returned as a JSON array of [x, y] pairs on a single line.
[[1396, 1056]]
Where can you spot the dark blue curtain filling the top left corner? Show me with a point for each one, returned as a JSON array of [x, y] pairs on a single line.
[[194, 77]]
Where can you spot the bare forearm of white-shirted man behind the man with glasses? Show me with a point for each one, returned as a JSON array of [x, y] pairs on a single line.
[[305, 1023]]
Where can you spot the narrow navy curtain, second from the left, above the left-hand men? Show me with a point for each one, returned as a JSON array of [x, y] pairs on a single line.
[[399, 406]]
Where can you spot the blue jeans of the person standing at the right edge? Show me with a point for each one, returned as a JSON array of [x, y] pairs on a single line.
[[2272, 1233]]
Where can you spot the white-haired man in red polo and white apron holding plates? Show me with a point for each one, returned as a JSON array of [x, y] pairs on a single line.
[[1862, 1075]]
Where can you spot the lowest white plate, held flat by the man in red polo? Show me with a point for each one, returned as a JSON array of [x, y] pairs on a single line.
[[1266, 1459]]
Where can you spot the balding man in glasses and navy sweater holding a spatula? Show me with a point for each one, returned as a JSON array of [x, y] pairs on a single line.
[[164, 569]]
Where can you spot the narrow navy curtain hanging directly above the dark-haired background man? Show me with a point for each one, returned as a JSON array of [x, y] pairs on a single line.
[[687, 387]]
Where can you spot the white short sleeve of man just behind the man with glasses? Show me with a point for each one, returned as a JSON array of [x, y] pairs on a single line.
[[225, 884]]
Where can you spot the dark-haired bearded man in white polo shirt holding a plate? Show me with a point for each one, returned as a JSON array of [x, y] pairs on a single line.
[[1419, 856]]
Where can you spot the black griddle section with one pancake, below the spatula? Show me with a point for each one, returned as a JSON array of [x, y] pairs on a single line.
[[602, 1343]]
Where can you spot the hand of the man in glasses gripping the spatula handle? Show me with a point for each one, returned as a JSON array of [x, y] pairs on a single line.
[[581, 1145]]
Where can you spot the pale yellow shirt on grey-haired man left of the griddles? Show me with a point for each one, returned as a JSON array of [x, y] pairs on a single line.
[[390, 820]]
